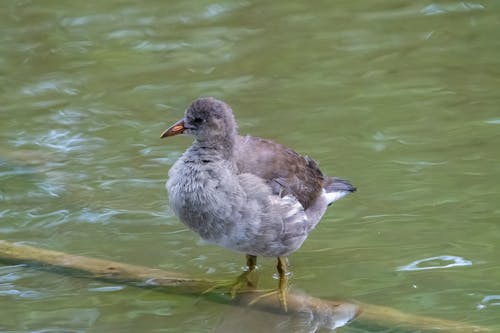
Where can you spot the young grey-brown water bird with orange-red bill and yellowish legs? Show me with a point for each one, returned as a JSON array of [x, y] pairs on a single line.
[[245, 193]]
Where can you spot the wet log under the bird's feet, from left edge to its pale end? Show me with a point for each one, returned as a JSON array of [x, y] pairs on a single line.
[[329, 314]]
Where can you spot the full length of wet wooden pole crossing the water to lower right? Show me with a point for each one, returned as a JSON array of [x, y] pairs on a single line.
[[328, 314]]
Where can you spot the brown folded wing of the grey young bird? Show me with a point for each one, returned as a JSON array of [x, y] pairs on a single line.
[[286, 171]]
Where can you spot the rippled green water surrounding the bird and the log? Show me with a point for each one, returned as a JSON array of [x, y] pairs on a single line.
[[400, 98]]
